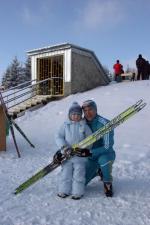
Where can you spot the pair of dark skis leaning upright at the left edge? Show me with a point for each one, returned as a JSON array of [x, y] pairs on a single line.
[[12, 123]]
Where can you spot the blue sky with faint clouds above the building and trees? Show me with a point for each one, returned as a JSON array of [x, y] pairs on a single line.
[[113, 29]]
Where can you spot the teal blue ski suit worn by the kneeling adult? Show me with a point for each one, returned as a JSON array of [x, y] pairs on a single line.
[[103, 154]]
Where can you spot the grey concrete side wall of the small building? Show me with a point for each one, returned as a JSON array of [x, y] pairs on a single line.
[[85, 74]]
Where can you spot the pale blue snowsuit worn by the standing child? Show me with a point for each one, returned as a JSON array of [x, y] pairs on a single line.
[[72, 177]]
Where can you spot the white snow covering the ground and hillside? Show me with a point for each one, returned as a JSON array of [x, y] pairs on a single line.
[[39, 204]]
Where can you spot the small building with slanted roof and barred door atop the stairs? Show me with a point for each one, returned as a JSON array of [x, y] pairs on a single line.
[[71, 68]]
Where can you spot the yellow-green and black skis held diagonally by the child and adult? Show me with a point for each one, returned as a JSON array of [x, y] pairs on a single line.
[[125, 115]]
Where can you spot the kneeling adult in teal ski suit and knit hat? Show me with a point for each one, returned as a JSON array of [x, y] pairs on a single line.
[[103, 154]]
